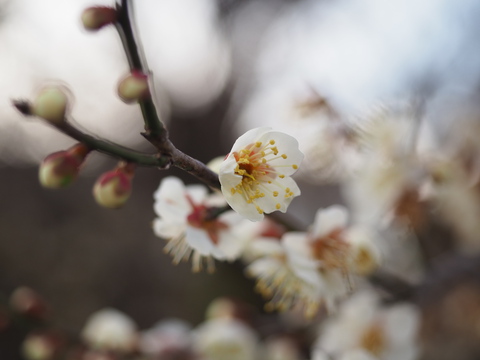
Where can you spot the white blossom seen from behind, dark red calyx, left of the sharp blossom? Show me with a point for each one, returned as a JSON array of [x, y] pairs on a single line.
[[188, 219]]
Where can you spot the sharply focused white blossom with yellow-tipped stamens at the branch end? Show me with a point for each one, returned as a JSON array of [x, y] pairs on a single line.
[[255, 176]]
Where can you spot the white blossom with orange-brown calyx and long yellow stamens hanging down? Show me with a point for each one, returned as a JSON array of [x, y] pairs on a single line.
[[307, 269]]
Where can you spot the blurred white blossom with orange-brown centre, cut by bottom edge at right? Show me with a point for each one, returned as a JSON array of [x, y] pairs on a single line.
[[363, 329]]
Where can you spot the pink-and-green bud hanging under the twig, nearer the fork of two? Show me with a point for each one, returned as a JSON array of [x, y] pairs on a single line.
[[113, 188]]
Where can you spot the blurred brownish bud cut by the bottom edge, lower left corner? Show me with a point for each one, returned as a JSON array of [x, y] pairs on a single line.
[[41, 346]]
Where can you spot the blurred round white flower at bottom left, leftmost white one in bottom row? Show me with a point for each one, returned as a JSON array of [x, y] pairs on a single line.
[[110, 329]]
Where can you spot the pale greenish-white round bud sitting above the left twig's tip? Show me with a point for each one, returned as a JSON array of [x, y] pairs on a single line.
[[51, 104]]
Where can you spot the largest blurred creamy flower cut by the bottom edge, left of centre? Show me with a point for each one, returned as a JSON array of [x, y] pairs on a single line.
[[225, 338]]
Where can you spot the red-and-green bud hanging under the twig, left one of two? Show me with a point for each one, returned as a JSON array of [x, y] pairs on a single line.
[[60, 169]]
